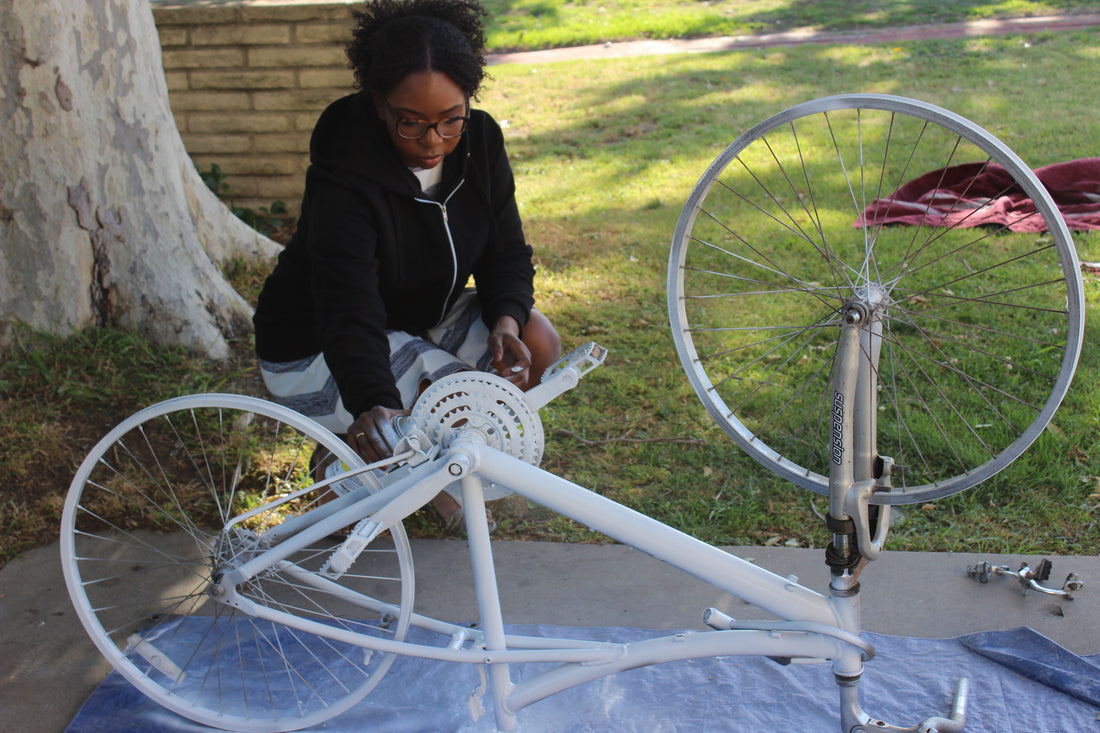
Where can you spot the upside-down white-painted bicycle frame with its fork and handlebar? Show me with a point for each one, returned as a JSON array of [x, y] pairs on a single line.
[[815, 627]]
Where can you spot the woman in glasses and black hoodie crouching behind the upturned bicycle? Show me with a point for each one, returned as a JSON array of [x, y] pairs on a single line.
[[410, 194]]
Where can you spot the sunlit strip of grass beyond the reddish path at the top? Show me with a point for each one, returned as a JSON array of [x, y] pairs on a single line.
[[529, 25]]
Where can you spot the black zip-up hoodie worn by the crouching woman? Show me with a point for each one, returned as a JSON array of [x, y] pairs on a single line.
[[372, 254]]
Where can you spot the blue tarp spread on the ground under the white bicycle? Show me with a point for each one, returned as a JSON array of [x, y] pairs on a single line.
[[1021, 683]]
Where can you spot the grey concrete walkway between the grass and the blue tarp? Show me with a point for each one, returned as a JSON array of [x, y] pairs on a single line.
[[49, 666]]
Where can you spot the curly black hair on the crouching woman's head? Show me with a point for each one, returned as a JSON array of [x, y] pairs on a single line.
[[397, 38]]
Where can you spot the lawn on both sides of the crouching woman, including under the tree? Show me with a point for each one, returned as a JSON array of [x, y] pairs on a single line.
[[606, 155]]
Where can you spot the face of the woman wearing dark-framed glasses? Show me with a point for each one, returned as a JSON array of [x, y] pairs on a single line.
[[428, 97]]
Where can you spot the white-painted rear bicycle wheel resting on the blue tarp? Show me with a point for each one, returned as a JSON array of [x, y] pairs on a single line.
[[145, 531]]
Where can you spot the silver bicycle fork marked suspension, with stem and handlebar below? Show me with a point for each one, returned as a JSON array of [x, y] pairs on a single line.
[[860, 528]]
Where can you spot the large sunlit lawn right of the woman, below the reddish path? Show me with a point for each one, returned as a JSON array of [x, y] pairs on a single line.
[[606, 155]]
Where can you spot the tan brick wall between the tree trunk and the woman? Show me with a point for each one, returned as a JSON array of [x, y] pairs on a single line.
[[248, 80]]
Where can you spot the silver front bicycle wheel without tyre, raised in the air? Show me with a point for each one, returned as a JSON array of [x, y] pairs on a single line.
[[981, 326]]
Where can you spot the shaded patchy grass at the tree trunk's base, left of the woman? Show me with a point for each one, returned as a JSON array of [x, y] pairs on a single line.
[[58, 397]]
